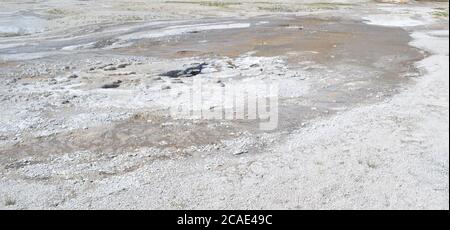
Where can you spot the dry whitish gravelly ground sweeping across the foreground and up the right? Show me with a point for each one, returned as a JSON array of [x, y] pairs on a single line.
[[390, 155]]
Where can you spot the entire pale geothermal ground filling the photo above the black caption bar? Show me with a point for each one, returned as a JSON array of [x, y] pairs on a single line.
[[87, 87]]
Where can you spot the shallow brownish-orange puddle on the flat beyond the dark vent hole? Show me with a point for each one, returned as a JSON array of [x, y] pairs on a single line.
[[324, 42]]
